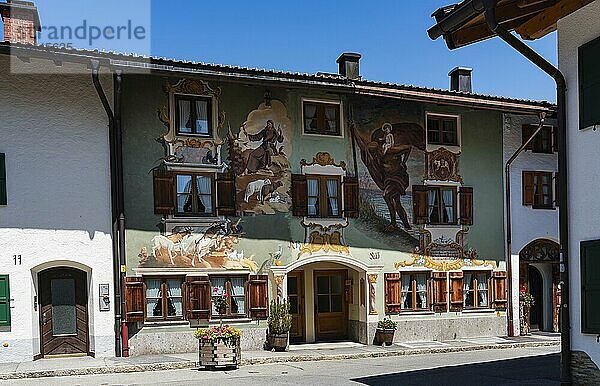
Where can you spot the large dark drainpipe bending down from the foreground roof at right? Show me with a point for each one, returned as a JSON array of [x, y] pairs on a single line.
[[563, 219]]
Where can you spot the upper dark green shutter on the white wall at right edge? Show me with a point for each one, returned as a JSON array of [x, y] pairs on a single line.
[[589, 84]]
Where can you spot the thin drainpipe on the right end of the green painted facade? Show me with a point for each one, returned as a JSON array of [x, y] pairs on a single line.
[[509, 269]]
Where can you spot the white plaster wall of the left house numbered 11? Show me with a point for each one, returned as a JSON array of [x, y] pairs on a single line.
[[54, 133]]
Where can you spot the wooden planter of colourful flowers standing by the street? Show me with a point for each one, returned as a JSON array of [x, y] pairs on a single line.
[[219, 346]]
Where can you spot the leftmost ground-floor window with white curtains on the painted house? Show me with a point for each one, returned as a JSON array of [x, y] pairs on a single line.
[[164, 299]]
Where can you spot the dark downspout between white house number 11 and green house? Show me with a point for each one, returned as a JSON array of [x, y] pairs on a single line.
[[114, 203]]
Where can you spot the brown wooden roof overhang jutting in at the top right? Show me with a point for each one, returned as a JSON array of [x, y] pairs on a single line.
[[464, 23]]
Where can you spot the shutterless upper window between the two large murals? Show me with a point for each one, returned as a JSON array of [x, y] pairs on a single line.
[[321, 118]]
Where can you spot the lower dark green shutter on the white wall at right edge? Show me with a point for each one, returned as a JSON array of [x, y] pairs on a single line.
[[590, 287]]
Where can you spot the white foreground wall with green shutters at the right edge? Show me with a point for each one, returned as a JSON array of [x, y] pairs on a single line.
[[584, 164]]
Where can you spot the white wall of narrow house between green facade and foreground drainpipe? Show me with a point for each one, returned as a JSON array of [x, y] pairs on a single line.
[[528, 224]]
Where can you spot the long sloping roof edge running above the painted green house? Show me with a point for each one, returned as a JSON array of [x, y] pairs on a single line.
[[334, 82]]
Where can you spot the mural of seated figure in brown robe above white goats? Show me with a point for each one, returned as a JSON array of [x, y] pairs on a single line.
[[258, 156]]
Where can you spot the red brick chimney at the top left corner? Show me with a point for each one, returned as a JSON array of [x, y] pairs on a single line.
[[21, 21]]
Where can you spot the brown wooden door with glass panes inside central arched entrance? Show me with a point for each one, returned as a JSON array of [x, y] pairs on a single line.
[[331, 318]]
